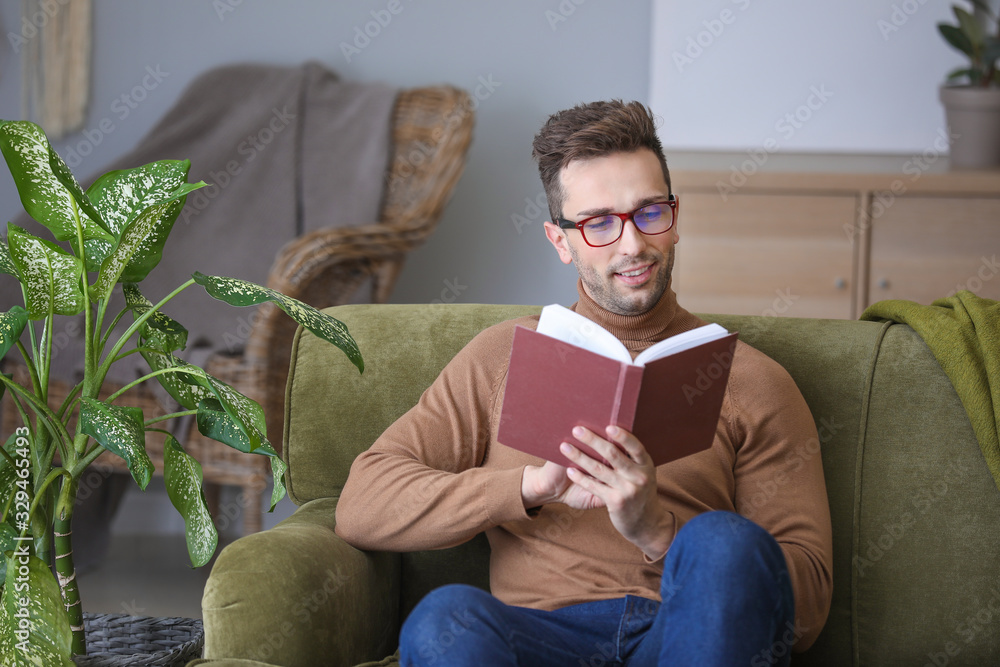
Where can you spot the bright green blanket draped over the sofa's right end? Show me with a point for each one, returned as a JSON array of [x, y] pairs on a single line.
[[963, 332]]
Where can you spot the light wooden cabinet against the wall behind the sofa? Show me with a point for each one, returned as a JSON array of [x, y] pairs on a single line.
[[808, 243]]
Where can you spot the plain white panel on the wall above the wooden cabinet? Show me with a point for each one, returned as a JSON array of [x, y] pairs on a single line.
[[858, 76]]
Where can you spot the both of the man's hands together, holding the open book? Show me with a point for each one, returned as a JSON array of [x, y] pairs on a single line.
[[626, 486]]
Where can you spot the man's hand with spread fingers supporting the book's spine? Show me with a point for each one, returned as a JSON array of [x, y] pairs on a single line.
[[626, 486]]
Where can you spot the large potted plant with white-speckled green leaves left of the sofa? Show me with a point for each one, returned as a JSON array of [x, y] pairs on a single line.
[[106, 239]]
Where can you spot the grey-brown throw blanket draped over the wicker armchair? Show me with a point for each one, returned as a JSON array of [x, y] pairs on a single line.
[[286, 150]]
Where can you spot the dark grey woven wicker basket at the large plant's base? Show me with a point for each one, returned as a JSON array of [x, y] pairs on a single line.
[[118, 640]]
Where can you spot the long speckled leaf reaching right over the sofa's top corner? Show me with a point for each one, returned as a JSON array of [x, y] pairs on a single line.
[[237, 292]]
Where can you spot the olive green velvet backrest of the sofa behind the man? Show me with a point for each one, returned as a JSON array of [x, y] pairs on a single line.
[[916, 515]]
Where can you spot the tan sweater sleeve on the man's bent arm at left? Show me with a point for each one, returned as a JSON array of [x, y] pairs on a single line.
[[422, 485]]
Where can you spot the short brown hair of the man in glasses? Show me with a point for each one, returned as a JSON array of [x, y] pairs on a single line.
[[588, 131]]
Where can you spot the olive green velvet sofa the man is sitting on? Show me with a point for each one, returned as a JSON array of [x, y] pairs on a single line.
[[916, 515]]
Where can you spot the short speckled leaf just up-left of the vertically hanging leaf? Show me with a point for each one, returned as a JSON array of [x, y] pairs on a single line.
[[119, 429]]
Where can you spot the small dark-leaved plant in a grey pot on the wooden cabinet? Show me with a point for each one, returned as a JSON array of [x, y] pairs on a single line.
[[971, 96]]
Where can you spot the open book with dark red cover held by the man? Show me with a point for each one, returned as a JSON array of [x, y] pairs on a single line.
[[571, 371]]
